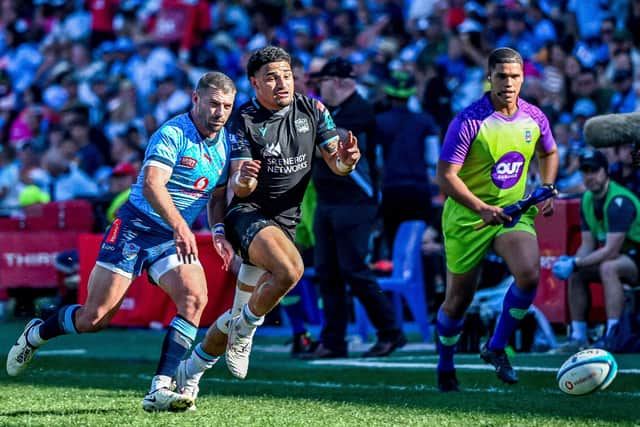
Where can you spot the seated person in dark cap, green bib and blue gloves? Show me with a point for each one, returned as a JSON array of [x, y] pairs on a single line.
[[609, 251]]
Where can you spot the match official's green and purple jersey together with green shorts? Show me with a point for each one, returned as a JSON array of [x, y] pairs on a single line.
[[495, 152]]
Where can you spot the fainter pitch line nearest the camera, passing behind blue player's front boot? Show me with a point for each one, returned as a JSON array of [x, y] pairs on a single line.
[[325, 385]]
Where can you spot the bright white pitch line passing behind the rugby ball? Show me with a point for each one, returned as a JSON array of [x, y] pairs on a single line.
[[468, 366]]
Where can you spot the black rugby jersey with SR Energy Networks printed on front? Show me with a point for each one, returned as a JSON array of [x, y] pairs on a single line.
[[284, 142]]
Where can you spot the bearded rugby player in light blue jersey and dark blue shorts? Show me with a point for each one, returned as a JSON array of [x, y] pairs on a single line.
[[186, 167]]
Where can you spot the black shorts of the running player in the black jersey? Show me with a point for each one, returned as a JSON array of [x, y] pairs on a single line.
[[244, 221]]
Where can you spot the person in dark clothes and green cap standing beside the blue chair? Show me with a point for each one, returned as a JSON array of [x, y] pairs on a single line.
[[410, 150]]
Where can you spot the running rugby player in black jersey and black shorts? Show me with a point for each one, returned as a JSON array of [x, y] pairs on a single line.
[[274, 136]]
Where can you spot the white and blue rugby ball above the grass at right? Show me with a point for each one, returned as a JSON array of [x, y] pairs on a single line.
[[587, 371]]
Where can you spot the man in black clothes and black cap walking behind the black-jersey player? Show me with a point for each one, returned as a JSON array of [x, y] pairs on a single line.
[[347, 207]]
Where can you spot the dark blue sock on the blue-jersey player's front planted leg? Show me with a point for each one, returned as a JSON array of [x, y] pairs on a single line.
[[177, 342]]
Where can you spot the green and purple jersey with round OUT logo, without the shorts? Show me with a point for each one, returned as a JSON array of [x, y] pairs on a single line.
[[495, 150]]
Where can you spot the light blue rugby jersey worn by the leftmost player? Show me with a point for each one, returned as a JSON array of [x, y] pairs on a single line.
[[198, 166]]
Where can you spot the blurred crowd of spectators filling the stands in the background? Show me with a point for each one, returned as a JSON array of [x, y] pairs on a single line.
[[84, 83]]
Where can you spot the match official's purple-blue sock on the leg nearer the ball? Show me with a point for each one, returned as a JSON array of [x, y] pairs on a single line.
[[514, 307]]
